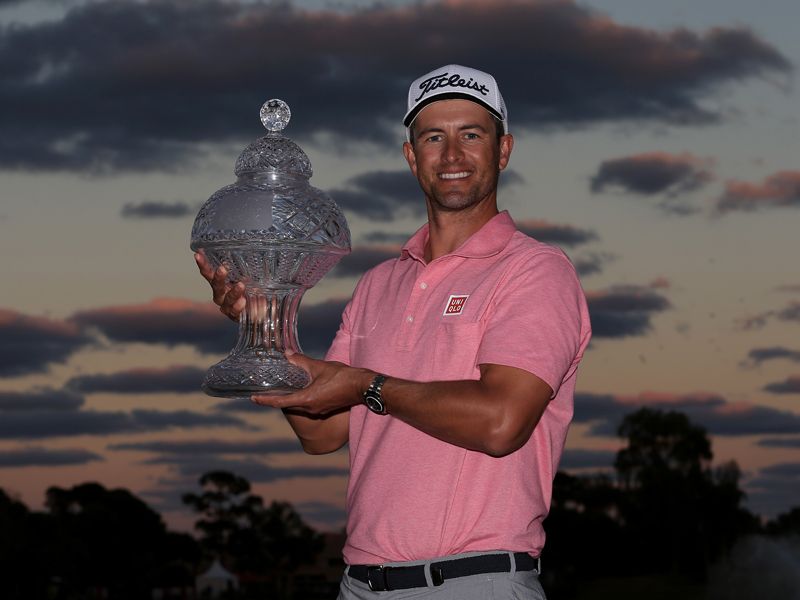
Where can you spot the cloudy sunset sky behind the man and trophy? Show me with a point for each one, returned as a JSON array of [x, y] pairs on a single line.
[[658, 143]]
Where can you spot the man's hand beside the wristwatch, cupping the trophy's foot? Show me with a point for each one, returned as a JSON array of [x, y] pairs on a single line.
[[334, 386]]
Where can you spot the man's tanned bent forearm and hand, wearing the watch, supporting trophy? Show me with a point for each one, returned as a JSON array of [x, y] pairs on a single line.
[[495, 414]]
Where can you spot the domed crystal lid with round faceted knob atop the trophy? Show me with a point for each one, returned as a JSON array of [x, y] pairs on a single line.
[[274, 153]]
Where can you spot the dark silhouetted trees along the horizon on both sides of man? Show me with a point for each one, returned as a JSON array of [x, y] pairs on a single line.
[[665, 511]]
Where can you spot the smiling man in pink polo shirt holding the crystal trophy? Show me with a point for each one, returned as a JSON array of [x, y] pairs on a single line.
[[452, 373]]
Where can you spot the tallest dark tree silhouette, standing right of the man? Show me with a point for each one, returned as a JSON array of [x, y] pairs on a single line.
[[680, 514]]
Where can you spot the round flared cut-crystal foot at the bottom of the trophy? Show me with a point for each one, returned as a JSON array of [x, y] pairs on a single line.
[[240, 377]]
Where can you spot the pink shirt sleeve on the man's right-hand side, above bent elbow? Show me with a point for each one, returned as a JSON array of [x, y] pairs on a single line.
[[538, 320]]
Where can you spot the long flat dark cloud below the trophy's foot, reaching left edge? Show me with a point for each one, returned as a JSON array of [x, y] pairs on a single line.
[[46, 424]]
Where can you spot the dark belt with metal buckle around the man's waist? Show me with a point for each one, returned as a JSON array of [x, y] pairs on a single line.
[[382, 579]]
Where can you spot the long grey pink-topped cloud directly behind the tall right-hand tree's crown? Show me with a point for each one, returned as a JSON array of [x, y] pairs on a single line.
[[718, 416]]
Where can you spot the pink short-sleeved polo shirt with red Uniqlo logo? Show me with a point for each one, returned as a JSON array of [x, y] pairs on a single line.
[[501, 298]]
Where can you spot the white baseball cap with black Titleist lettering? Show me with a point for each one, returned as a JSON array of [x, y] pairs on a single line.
[[456, 81]]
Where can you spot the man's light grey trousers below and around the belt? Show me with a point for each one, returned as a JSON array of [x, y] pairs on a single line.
[[522, 585]]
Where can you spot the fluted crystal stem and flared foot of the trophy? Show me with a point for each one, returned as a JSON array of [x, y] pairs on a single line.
[[257, 364]]
